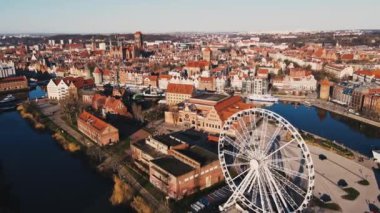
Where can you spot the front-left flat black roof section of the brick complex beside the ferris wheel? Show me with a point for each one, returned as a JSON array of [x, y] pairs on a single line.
[[172, 166]]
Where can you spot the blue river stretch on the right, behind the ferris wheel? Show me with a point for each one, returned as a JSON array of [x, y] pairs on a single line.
[[352, 134]]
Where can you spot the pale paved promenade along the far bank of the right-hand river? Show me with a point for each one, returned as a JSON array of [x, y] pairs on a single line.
[[329, 106]]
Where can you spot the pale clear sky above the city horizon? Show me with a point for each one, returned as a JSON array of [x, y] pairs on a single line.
[[160, 16]]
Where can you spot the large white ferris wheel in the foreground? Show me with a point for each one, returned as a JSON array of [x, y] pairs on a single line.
[[265, 162]]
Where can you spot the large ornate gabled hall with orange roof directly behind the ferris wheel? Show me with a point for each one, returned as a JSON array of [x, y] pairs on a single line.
[[207, 112]]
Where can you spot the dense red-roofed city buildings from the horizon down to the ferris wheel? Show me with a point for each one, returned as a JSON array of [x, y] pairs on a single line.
[[193, 84]]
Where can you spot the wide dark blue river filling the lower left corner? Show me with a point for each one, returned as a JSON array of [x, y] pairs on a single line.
[[45, 178]]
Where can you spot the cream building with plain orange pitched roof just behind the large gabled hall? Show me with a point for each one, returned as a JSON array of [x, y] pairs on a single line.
[[177, 93]]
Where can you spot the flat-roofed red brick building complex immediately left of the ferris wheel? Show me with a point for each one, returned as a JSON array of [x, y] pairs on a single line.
[[175, 167]]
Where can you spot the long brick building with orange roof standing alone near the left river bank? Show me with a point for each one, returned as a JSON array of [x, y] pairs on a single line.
[[97, 130]]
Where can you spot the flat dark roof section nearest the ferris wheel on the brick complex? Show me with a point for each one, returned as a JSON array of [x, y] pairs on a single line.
[[199, 154]]
